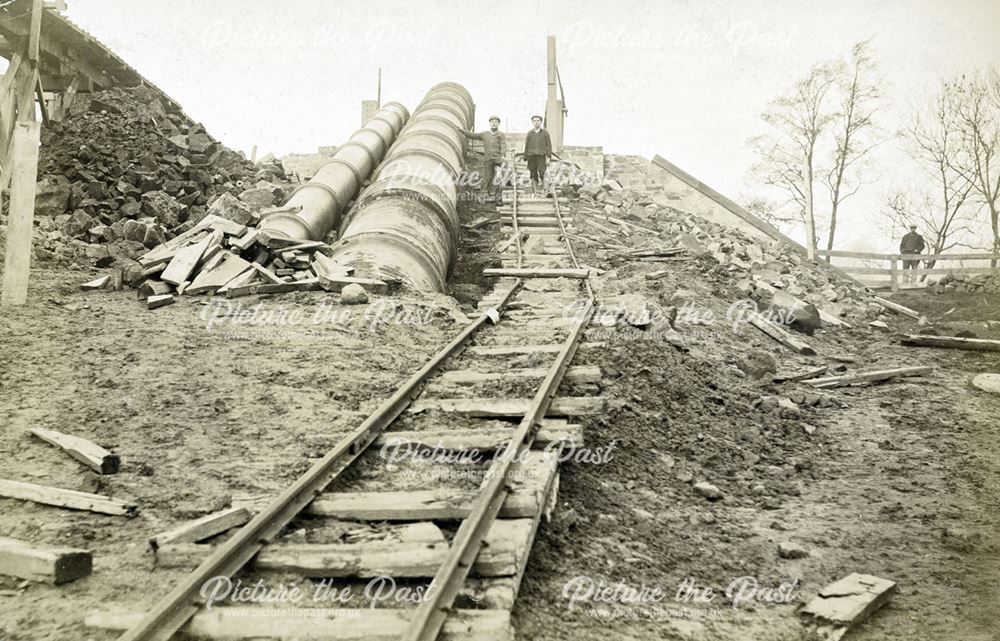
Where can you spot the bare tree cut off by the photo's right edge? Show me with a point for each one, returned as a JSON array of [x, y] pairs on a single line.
[[977, 106]]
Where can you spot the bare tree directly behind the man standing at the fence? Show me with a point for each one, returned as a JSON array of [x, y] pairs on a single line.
[[942, 212]]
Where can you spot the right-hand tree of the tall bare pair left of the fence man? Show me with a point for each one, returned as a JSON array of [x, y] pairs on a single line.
[[854, 131]]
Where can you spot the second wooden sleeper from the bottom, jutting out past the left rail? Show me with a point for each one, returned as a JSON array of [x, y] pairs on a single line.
[[499, 556]]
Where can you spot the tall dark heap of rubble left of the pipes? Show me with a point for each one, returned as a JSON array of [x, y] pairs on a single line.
[[124, 172]]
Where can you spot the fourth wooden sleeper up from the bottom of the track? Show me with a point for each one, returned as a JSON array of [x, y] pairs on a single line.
[[551, 432]]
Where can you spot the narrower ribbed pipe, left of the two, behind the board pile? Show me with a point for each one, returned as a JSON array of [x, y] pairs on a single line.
[[315, 207]]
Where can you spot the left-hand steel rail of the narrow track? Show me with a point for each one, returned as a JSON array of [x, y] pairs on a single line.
[[180, 604]]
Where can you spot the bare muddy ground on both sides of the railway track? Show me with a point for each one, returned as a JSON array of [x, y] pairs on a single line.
[[898, 480]]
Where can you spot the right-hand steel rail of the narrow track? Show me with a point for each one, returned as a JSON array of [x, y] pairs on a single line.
[[429, 618]]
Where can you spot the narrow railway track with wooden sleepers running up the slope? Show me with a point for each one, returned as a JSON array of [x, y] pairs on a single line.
[[421, 520]]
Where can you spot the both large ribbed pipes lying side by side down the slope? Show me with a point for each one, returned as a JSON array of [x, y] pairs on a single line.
[[404, 226]]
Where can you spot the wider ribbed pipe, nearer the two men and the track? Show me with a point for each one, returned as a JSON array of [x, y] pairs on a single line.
[[404, 226]]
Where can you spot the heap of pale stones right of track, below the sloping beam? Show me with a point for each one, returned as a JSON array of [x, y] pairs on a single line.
[[770, 271]]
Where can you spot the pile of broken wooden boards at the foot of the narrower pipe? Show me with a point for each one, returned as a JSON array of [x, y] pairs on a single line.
[[218, 256]]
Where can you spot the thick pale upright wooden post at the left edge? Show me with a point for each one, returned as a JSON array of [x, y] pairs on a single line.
[[24, 167]]
